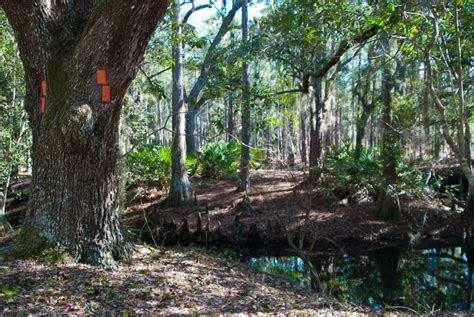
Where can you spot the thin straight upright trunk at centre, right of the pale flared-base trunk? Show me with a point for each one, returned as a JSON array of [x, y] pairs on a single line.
[[245, 150]]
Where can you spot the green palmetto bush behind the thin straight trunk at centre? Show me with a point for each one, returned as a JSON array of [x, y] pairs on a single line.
[[222, 159]]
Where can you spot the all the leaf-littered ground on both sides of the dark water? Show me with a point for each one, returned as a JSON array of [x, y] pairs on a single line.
[[191, 280]]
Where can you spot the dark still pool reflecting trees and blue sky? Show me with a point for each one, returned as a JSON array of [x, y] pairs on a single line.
[[423, 280]]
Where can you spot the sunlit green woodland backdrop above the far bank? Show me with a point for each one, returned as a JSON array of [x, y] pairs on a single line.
[[370, 91]]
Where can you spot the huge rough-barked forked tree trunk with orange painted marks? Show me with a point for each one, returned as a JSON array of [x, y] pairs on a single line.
[[79, 58]]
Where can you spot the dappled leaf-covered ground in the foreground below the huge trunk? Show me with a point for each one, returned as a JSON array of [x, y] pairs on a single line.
[[175, 281]]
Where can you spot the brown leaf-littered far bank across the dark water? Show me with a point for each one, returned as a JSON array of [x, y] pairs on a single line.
[[277, 207]]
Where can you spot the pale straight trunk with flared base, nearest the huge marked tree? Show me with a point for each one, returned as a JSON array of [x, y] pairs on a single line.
[[180, 189]]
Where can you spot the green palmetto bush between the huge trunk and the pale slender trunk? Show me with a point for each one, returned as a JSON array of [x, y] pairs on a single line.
[[151, 163]]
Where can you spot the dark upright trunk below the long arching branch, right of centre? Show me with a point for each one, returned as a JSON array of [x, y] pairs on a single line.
[[315, 146]]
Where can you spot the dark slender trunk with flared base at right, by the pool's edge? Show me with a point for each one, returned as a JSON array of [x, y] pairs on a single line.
[[388, 204]]
